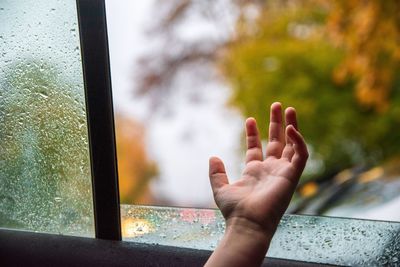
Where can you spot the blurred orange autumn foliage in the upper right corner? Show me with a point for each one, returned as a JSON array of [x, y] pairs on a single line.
[[369, 32]]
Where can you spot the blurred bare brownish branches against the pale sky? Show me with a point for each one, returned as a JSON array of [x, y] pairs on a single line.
[[171, 51]]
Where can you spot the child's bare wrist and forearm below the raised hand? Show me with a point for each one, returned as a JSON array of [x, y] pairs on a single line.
[[243, 244]]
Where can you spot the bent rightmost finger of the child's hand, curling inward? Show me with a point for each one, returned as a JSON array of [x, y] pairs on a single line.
[[300, 148]]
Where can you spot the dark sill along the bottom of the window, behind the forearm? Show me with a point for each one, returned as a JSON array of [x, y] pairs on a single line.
[[20, 248]]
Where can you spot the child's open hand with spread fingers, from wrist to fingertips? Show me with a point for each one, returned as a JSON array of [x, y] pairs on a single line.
[[263, 192]]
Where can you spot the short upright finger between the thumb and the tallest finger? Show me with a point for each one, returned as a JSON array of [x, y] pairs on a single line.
[[254, 149]]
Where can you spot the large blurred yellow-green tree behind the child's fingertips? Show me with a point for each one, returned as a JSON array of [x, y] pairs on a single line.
[[286, 54]]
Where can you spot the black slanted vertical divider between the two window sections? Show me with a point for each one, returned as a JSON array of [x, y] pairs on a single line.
[[97, 80]]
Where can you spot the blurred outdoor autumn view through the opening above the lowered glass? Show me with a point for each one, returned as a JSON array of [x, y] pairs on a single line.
[[187, 73]]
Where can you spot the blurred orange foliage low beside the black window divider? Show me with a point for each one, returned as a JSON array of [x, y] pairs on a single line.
[[135, 169]]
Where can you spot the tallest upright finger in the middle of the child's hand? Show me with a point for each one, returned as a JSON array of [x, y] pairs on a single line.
[[276, 140]]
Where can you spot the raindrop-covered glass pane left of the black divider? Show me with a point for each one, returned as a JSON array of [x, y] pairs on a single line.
[[45, 182]]
